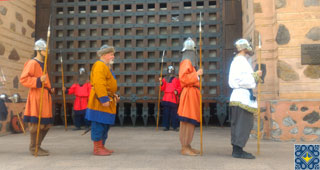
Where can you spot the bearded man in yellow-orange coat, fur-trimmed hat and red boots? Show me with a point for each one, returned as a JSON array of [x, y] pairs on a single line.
[[103, 99]]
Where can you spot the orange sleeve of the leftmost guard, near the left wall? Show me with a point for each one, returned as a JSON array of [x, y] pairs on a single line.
[[27, 77]]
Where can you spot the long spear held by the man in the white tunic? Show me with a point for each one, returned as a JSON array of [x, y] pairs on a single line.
[[258, 97]]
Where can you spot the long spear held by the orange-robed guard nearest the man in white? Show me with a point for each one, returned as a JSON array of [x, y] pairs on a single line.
[[200, 56]]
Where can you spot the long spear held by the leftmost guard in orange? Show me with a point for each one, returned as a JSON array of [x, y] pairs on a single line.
[[42, 89]]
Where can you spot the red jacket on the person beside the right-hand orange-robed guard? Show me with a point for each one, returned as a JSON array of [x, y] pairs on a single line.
[[168, 88]]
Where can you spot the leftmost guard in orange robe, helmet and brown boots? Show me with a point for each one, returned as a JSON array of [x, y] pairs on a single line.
[[32, 78]]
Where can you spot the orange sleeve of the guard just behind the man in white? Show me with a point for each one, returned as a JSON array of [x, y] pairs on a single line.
[[187, 75]]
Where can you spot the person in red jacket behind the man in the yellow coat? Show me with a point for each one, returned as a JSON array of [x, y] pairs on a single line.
[[82, 91]]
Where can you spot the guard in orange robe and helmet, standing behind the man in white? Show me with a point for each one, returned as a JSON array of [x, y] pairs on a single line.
[[189, 108]]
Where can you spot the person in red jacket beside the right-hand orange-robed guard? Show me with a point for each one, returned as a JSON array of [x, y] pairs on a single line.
[[170, 85]]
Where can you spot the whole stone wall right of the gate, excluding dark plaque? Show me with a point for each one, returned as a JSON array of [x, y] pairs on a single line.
[[291, 92]]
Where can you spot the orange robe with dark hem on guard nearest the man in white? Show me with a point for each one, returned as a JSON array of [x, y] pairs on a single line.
[[189, 108]]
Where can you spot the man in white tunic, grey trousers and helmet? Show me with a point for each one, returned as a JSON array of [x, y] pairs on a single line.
[[243, 104]]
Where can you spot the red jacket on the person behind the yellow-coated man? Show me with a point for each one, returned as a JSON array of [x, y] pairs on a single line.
[[82, 94]]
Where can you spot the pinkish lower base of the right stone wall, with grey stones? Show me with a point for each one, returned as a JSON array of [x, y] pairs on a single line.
[[290, 121]]
